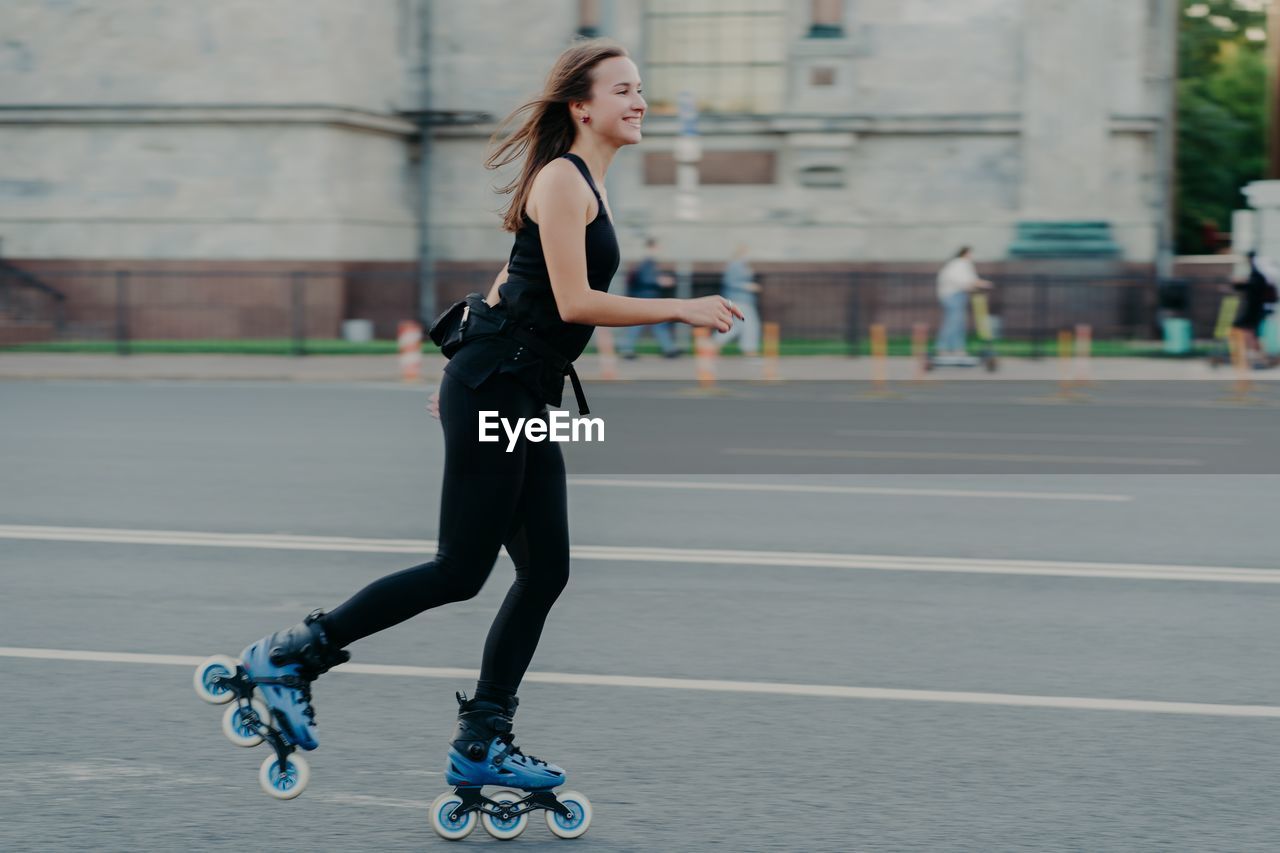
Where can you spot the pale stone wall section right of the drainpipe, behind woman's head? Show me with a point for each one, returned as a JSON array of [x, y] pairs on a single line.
[[943, 125]]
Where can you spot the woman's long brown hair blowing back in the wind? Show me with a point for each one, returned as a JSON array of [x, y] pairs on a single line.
[[548, 131]]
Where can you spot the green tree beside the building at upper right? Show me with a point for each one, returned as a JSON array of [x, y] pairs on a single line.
[[1222, 115]]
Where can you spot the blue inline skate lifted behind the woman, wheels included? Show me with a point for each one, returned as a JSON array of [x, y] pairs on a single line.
[[281, 668]]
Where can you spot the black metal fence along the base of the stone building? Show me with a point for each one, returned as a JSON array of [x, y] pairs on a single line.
[[299, 305]]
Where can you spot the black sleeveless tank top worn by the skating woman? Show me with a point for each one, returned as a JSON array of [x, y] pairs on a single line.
[[527, 299]]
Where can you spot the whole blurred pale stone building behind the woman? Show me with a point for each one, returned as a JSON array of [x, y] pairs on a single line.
[[839, 135]]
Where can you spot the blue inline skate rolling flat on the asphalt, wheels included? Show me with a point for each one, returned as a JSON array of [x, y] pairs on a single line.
[[483, 752]]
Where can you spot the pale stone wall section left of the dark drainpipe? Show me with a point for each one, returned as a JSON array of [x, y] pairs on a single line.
[[234, 130]]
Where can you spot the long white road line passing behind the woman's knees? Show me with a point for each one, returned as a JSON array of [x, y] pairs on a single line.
[[644, 554]]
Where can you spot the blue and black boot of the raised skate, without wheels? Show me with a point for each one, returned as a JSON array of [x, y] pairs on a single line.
[[284, 667]]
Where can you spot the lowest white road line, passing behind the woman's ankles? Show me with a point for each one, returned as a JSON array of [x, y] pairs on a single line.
[[714, 686]]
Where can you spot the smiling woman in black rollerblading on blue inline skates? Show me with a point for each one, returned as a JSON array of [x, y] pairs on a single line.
[[509, 354]]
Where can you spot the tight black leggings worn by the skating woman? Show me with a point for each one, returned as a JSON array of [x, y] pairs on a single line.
[[490, 499]]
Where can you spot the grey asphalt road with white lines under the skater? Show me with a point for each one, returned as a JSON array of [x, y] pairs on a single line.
[[998, 544]]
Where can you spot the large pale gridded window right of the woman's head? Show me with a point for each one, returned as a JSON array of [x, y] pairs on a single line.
[[732, 54]]
